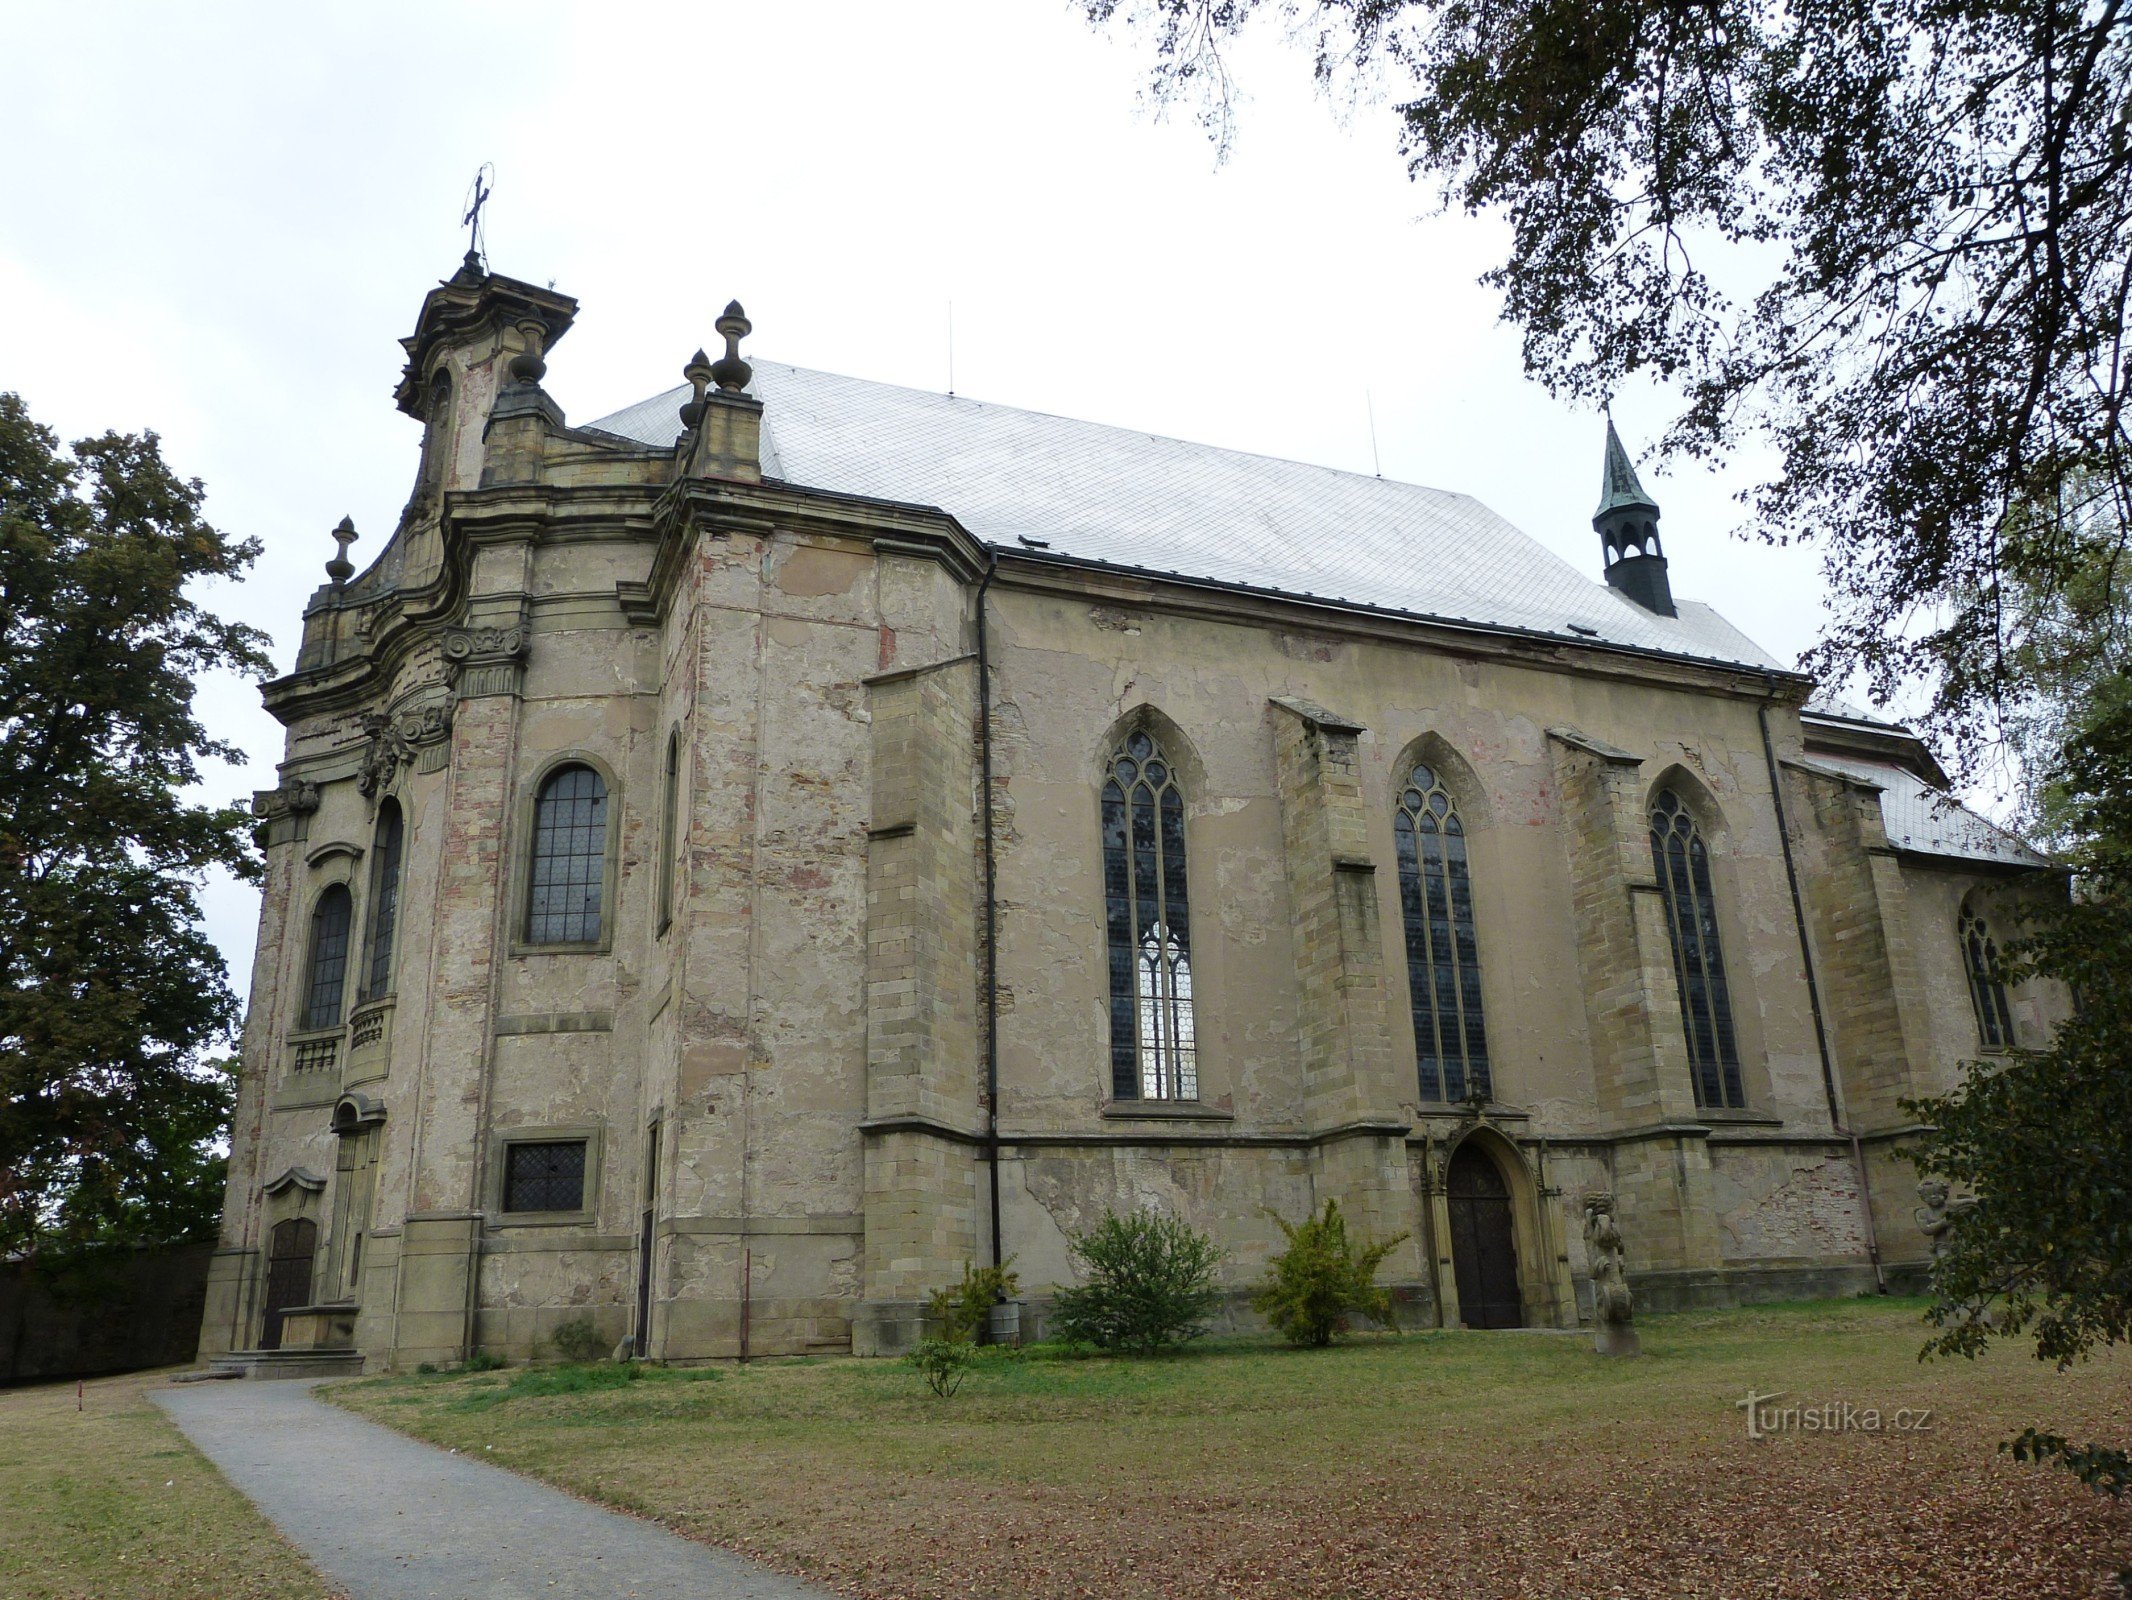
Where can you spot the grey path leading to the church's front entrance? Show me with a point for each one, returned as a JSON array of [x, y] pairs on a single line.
[[393, 1520]]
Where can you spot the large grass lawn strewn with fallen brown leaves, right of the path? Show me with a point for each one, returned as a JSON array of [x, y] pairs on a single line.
[[1434, 1465]]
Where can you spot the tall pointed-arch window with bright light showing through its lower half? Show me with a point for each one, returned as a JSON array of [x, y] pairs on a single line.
[[1150, 927]]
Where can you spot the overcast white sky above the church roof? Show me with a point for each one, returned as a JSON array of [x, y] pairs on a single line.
[[216, 221]]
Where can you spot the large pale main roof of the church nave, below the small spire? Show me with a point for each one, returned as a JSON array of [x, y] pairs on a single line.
[[1024, 481]]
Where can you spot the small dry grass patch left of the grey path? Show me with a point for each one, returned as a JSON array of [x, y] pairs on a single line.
[[110, 1503]]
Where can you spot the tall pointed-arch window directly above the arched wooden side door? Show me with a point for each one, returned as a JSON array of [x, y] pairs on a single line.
[[1436, 899]]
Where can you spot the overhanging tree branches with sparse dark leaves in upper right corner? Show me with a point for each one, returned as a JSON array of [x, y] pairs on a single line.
[[1894, 238]]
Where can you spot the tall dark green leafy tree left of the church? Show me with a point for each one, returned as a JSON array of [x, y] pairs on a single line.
[[114, 1006]]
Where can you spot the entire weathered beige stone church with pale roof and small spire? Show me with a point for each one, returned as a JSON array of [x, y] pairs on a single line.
[[741, 861]]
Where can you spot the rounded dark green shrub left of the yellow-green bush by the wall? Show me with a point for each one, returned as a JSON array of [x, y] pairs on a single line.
[[1150, 1283]]
